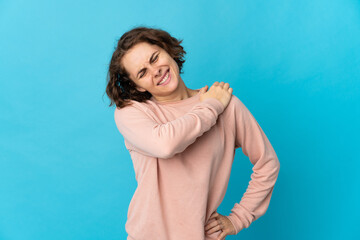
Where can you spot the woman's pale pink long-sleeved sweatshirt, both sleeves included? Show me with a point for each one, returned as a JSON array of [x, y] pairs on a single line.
[[182, 154]]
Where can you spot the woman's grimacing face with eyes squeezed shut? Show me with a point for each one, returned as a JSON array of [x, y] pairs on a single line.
[[152, 69]]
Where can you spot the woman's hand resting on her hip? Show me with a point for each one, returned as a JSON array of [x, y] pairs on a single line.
[[218, 222]]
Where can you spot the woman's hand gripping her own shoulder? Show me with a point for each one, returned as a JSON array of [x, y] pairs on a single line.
[[219, 91]]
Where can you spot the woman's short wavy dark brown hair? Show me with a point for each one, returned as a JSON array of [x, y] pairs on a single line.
[[120, 88]]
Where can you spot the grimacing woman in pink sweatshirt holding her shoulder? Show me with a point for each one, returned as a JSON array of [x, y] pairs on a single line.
[[182, 143]]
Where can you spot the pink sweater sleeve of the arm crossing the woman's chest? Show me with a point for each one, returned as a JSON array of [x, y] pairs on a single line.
[[165, 140]]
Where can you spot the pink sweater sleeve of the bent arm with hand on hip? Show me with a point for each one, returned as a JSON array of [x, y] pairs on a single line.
[[254, 143]]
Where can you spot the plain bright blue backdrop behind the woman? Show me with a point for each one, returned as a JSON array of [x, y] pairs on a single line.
[[64, 169]]
